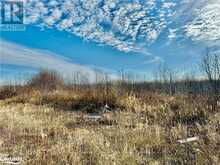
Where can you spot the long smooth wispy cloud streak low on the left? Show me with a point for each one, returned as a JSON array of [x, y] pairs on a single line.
[[17, 55]]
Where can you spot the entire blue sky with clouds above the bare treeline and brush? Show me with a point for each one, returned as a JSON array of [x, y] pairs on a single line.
[[110, 35]]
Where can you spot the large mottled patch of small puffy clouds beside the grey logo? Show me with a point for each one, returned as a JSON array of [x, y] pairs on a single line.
[[120, 24]]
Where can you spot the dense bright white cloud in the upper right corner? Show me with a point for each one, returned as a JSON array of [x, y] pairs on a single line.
[[206, 24]]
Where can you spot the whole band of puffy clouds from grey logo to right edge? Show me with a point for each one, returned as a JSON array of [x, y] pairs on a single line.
[[128, 25]]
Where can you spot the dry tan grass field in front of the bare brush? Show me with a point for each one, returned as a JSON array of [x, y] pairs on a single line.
[[134, 132]]
